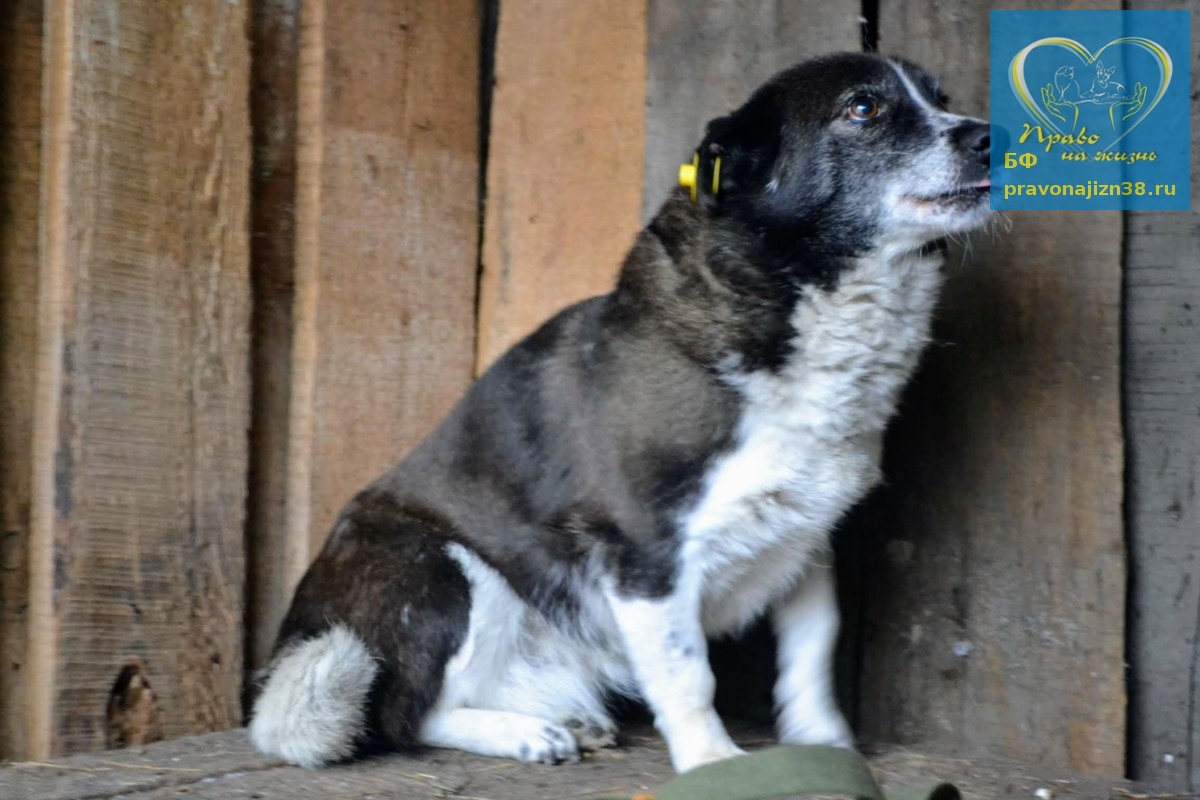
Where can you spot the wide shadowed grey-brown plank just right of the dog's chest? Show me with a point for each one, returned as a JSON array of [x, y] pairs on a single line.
[[995, 613]]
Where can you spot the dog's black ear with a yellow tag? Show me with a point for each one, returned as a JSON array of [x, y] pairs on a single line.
[[747, 142]]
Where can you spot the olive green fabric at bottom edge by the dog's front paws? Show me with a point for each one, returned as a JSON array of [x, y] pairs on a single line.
[[789, 772]]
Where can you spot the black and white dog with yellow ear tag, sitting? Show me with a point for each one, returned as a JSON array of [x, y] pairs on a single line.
[[655, 466]]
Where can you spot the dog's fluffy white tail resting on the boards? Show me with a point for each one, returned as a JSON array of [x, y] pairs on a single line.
[[313, 708]]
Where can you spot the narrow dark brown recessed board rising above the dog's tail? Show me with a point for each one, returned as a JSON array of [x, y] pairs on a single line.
[[275, 46]]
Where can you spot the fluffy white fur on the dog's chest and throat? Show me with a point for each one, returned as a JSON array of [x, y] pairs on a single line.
[[809, 442]]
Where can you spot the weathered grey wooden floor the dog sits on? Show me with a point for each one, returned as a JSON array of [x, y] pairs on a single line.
[[225, 767]]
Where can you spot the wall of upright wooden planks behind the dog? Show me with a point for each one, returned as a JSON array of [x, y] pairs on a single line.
[[316, 222]]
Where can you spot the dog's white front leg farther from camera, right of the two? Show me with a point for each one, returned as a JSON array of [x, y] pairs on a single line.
[[807, 629]]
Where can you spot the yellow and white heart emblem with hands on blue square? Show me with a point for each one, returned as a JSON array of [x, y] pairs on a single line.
[[1064, 97]]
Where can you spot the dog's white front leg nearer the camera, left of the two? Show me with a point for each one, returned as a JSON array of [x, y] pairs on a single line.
[[668, 652]]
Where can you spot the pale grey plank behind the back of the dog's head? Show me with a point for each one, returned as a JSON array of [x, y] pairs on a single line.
[[706, 57]]
